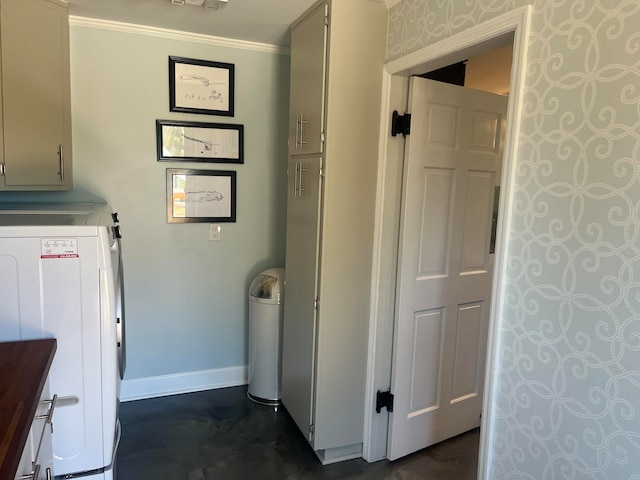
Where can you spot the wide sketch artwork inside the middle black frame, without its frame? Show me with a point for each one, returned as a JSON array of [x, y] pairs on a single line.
[[180, 141]]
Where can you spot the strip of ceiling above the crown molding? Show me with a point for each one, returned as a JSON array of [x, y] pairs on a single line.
[[261, 21]]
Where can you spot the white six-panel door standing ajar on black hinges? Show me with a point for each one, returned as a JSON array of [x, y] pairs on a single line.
[[452, 166]]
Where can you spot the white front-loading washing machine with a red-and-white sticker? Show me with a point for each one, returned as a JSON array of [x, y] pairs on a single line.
[[61, 277]]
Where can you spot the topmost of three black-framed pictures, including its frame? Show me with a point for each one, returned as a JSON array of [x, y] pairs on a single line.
[[201, 86]]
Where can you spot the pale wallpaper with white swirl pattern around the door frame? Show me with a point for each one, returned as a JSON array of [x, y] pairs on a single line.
[[569, 359]]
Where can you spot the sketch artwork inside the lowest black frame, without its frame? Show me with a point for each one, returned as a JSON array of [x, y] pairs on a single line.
[[201, 196]]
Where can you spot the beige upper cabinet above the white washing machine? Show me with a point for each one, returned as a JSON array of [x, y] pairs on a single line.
[[35, 140]]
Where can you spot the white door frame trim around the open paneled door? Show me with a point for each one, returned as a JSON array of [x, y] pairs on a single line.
[[512, 26]]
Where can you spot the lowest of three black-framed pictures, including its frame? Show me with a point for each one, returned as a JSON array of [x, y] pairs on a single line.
[[200, 196]]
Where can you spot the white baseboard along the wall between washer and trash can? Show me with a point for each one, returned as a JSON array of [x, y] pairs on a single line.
[[149, 387]]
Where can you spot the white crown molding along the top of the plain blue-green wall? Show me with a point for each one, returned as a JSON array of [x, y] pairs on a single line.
[[164, 33]]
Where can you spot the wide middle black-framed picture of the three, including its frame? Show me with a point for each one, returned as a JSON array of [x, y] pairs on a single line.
[[199, 142]]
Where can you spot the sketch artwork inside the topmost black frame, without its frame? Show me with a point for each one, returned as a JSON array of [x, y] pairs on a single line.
[[201, 87]]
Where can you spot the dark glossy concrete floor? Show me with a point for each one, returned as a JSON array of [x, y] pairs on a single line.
[[222, 435]]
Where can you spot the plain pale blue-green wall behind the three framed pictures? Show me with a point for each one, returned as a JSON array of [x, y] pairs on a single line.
[[186, 297]]
